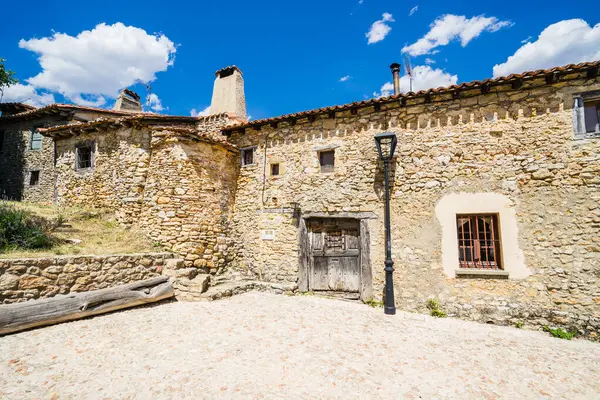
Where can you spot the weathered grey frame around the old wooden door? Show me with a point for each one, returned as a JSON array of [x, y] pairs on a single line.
[[366, 275]]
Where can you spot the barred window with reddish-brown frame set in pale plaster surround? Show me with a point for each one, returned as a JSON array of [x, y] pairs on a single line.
[[478, 241]]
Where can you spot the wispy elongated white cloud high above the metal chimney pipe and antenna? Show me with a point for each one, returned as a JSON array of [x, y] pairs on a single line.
[[453, 27]]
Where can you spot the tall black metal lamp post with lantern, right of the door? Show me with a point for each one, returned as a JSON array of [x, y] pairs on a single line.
[[386, 145]]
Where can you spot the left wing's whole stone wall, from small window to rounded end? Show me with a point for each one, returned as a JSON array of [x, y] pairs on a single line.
[[176, 182]]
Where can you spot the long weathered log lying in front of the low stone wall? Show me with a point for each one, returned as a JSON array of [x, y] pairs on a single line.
[[20, 316]]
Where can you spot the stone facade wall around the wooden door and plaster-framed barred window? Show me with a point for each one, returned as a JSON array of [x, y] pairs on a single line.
[[469, 145]]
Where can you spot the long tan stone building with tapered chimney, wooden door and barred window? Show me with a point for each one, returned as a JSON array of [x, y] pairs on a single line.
[[494, 193]]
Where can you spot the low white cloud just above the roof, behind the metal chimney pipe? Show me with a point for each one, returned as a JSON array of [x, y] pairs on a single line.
[[424, 77]]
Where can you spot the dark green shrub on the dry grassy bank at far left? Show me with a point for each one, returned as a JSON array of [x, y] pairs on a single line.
[[19, 229]]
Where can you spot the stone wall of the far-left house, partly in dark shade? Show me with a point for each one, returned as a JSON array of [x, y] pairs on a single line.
[[17, 160]]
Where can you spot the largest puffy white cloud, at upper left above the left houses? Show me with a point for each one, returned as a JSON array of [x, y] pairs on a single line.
[[95, 64]]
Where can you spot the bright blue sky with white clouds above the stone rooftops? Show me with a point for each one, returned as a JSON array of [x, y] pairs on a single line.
[[293, 54]]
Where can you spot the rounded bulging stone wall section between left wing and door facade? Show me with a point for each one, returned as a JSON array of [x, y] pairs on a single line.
[[188, 198]]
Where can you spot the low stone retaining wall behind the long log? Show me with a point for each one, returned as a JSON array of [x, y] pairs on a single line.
[[33, 278]]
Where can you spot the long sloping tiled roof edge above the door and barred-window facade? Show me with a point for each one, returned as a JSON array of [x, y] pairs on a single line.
[[557, 71]]
